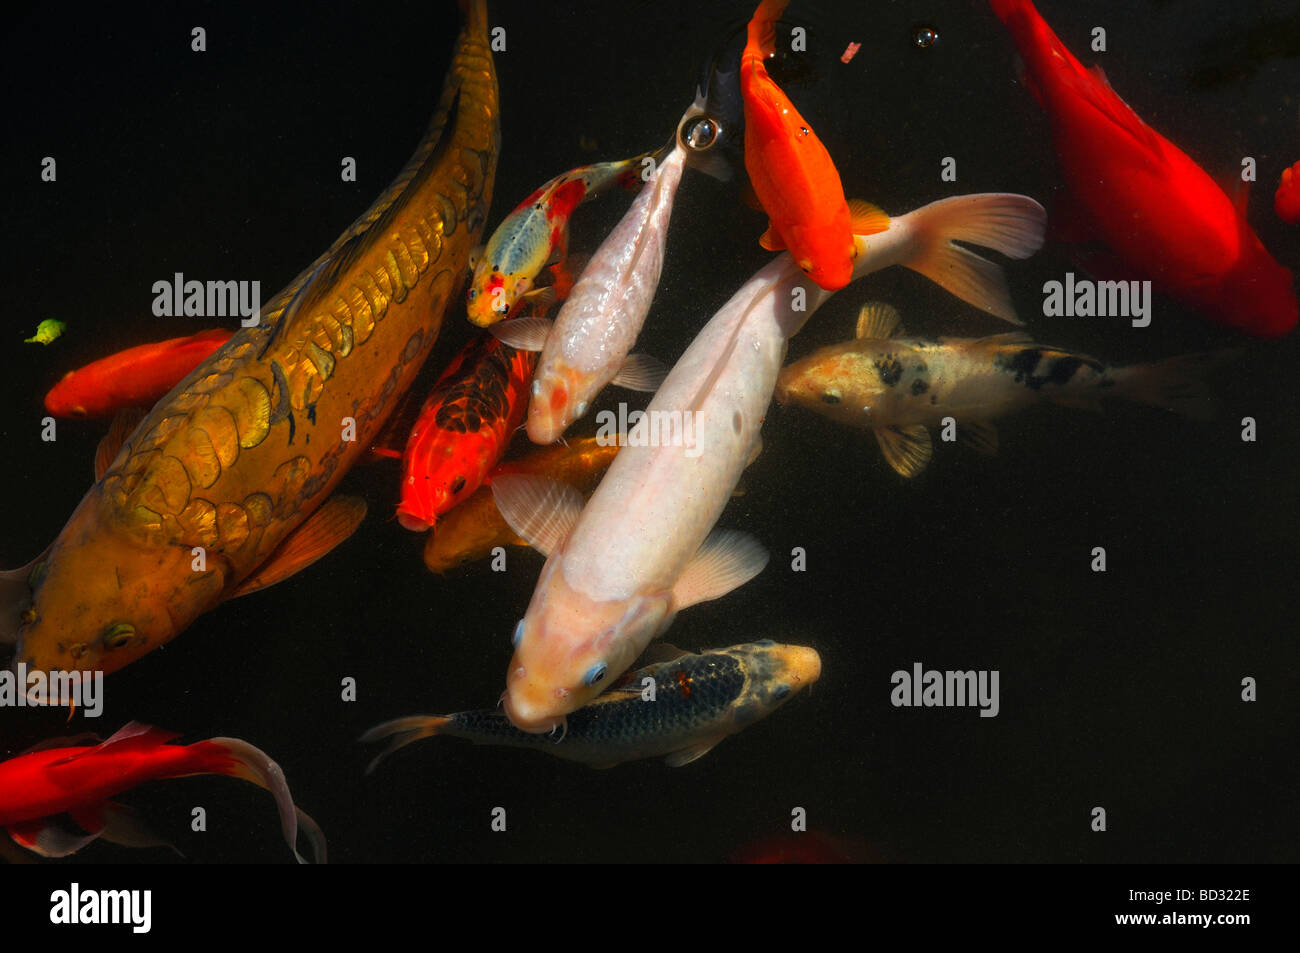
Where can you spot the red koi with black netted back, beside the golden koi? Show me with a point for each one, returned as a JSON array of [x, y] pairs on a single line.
[[463, 430]]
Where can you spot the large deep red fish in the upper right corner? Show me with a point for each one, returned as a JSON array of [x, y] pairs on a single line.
[[1156, 210]]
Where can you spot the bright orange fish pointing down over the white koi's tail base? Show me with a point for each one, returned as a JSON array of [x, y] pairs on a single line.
[[790, 168]]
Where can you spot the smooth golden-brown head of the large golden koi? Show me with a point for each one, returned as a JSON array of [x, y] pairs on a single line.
[[99, 600]]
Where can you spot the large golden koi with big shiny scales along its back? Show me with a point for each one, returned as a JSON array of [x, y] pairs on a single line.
[[220, 491]]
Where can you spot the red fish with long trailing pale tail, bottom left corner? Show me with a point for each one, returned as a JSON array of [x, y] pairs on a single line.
[[80, 781]]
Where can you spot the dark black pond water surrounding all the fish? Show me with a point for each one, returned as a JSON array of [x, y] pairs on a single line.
[[1119, 690]]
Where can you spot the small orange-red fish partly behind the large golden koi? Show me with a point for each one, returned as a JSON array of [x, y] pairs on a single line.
[[136, 378]]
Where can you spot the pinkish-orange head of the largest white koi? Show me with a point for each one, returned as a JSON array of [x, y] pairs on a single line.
[[570, 648]]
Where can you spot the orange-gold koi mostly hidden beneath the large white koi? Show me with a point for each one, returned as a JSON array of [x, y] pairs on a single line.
[[476, 527]]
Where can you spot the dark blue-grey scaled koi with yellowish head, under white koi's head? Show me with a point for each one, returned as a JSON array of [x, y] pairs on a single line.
[[696, 703]]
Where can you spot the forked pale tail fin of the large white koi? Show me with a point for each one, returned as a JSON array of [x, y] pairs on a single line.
[[1013, 226]]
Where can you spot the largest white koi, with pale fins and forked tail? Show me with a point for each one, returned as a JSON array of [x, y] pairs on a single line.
[[619, 570]]
